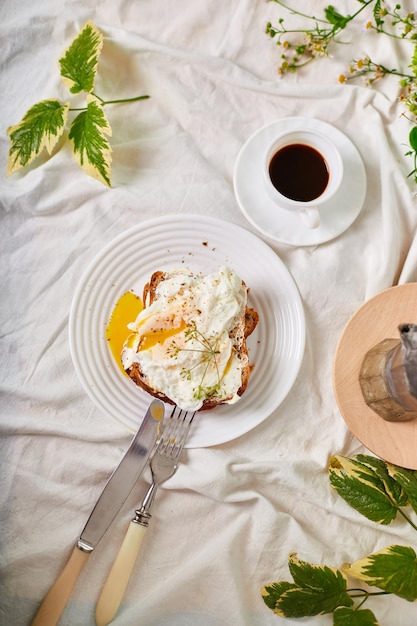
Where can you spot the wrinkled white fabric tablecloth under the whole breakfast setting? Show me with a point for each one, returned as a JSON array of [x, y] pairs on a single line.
[[224, 525]]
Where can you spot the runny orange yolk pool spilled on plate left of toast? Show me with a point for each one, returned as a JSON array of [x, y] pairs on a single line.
[[126, 309]]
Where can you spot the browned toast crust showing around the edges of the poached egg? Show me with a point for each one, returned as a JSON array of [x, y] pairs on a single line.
[[250, 321]]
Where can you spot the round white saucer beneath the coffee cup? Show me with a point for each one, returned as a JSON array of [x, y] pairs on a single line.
[[282, 225]]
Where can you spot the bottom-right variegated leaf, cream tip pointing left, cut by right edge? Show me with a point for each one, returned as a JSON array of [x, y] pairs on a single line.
[[393, 569]]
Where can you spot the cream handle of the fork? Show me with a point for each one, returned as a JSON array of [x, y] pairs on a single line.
[[116, 583]]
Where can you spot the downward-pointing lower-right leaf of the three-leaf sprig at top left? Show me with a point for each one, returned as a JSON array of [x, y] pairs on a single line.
[[91, 148]]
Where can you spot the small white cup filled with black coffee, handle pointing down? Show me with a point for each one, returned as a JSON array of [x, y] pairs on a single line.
[[303, 169]]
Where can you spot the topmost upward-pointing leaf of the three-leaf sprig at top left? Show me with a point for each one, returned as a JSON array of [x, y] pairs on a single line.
[[78, 64]]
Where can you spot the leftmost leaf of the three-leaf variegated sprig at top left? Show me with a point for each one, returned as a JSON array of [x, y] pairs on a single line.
[[41, 127]]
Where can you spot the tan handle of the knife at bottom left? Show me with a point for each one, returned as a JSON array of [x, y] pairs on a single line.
[[58, 595]]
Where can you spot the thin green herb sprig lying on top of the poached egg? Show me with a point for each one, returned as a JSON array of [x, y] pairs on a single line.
[[208, 351]]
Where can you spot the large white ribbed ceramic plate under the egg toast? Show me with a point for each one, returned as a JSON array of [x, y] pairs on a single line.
[[202, 244]]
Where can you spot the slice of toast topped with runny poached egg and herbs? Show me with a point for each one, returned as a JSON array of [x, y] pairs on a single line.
[[193, 340]]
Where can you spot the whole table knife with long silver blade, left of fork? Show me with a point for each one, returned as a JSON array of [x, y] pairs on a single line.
[[114, 494]]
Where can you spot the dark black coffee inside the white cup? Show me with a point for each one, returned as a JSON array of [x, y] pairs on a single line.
[[299, 172]]
